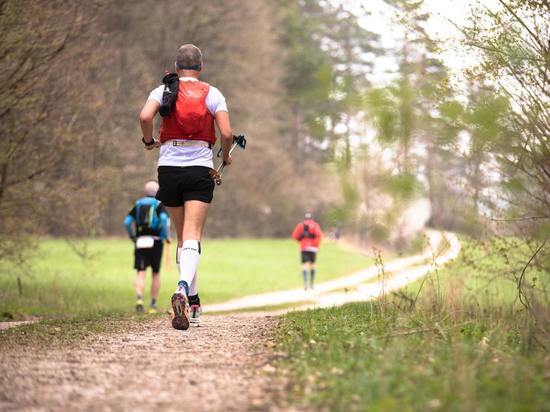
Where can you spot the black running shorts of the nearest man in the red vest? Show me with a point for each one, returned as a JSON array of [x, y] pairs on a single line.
[[180, 184]]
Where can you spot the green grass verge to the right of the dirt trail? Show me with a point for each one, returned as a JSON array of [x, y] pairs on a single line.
[[465, 344]]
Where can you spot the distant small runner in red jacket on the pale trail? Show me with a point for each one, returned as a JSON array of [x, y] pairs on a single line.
[[309, 234]]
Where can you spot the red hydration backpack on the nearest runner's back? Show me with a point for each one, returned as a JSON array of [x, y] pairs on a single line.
[[190, 118]]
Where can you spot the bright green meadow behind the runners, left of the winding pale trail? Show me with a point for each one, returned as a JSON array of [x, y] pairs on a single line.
[[57, 282]]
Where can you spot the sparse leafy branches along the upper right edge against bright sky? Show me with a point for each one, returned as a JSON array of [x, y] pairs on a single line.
[[513, 41]]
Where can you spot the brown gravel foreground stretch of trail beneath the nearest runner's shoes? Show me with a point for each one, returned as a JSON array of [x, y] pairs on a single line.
[[221, 366]]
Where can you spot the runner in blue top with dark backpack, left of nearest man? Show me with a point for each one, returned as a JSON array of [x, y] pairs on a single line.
[[148, 226]]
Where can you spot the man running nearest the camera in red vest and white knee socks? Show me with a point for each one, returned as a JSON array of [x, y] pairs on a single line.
[[187, 135]]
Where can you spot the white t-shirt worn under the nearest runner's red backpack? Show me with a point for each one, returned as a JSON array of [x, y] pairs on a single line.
[[171, 155]]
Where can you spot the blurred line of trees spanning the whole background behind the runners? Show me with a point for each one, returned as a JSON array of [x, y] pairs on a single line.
[[298, 77]]
